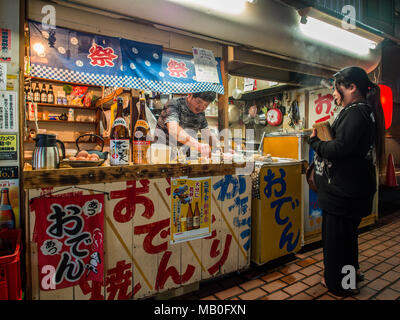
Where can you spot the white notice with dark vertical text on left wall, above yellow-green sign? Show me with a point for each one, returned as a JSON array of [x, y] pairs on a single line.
[[8, 108]]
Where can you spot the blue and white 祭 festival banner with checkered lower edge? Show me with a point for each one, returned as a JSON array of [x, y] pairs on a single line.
[[72, 56]]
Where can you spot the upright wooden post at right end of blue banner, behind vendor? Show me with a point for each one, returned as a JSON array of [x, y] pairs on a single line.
[[223, 100]]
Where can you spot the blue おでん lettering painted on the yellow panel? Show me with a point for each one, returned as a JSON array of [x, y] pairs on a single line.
[[286, 236]]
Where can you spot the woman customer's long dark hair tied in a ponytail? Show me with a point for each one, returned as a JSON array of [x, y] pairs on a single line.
[[372, 95]]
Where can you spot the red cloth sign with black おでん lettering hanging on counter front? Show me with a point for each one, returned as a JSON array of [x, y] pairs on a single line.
[[69, 234]]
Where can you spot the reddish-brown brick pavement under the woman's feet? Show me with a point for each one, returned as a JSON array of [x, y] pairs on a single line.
[[297, 277]]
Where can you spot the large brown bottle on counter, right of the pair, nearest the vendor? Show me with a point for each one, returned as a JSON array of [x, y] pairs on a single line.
[[140, 133]]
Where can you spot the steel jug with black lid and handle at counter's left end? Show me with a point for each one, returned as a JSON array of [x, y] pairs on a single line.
[[46, 153]]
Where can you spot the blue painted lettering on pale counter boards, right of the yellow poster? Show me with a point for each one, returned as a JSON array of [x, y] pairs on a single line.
[[241, 204]]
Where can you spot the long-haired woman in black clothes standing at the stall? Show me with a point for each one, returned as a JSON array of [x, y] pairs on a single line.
[[345, 174]]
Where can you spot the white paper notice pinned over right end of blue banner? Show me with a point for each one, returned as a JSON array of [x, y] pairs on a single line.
[[205, 65]]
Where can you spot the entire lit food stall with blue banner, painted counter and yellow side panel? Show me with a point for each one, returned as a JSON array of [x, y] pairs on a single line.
[[127, 243]]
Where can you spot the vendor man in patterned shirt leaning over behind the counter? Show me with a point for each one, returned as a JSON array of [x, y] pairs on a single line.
[[182, 118]]
